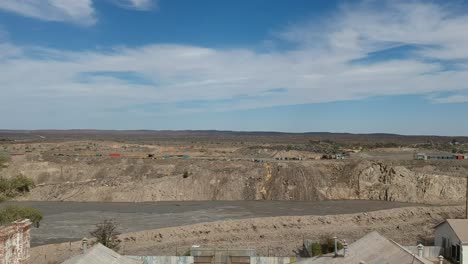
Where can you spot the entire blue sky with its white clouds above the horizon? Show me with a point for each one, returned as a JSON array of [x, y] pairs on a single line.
[[266, 65]]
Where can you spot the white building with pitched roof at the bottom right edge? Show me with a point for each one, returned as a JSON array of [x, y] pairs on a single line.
[[452, 236]]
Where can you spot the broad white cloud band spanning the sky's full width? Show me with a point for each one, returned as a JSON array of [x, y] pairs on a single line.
[[320, 68]]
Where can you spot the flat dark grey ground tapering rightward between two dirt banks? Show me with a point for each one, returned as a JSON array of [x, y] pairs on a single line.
[[71, 221]]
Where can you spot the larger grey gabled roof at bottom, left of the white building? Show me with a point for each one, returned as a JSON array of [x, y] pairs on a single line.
[[372, 249]]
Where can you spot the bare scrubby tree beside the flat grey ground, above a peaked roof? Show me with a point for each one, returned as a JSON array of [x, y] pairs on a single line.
[[106, 233]]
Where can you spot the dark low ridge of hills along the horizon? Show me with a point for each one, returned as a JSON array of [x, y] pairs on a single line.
[[215, 135]]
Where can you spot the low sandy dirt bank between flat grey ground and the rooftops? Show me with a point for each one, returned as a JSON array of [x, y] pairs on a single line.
[[274, 236]]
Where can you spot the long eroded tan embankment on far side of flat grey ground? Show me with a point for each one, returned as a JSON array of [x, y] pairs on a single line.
[[137, 180]]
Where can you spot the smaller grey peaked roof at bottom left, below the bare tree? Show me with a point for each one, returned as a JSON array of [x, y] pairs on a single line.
[[100, 254]]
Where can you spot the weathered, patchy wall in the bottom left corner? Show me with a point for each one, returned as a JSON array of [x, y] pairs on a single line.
[[15, 243]]
